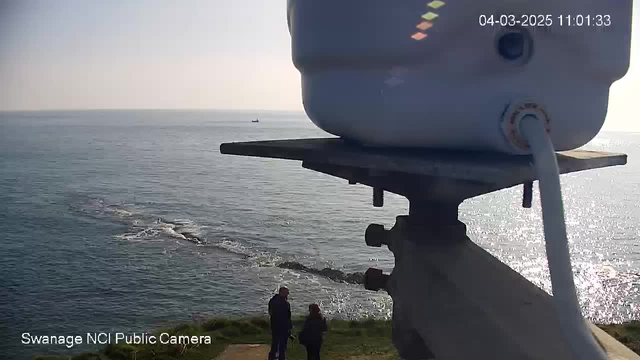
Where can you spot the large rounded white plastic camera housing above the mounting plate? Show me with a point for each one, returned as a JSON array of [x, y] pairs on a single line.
[[450, 74]]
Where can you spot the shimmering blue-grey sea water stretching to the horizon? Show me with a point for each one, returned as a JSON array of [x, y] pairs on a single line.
[[121, 221]]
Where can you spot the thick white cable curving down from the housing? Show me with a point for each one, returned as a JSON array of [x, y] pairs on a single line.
[[574, 326]]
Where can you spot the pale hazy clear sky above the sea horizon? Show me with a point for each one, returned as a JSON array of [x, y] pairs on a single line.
[[168, 54]]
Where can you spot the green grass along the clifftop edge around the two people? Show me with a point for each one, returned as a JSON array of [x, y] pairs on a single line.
[[345, 340]]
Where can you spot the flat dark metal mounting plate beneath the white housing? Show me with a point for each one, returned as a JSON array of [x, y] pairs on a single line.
[[418, 173]]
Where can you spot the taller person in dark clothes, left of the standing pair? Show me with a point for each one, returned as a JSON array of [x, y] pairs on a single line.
[[280, 321]]
